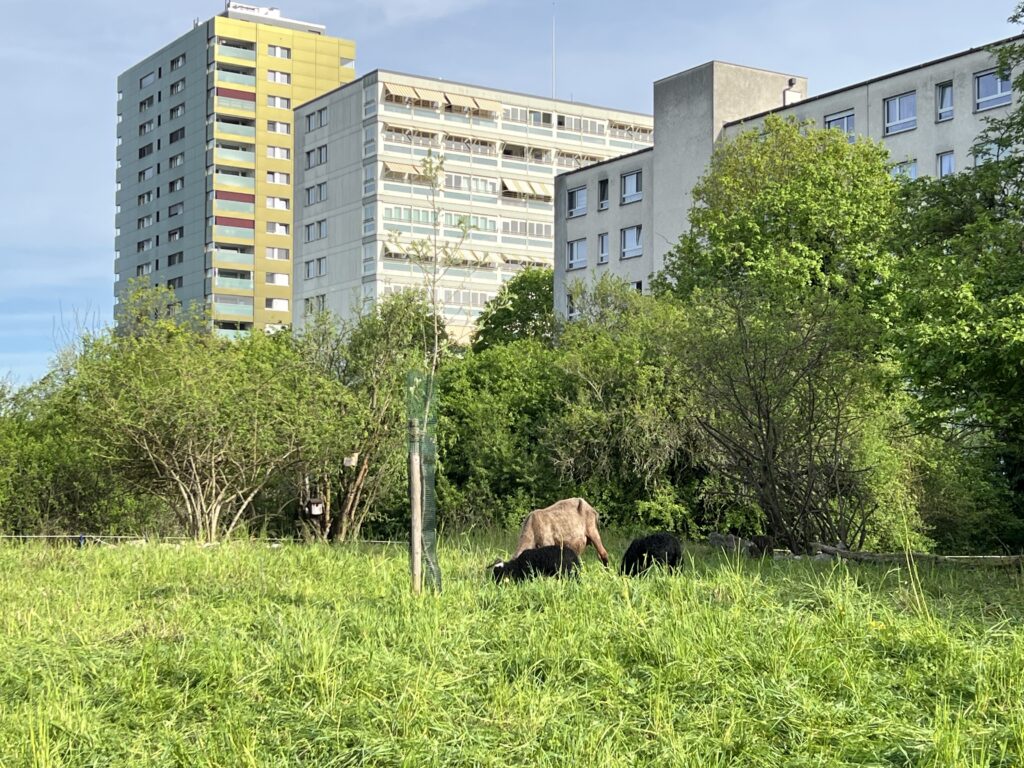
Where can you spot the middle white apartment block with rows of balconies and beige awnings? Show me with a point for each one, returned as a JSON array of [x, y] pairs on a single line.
[[362, 196]]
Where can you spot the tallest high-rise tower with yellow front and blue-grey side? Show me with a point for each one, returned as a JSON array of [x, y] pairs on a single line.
[[205, 161]]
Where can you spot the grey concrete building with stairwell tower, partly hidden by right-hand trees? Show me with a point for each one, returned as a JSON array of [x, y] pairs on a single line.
[[929, 116]]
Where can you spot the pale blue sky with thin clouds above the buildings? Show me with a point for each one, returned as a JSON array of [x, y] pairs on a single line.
[[62, 61]]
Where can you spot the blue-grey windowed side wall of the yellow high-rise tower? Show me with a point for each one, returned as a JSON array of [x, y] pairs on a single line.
[[193, 170]]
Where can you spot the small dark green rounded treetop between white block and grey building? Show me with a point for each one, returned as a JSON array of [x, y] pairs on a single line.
[[524, 309]]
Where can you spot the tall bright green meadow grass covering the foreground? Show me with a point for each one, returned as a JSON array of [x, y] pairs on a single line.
[[250, 656]]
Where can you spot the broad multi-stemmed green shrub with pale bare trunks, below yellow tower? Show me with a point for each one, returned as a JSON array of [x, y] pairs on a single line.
[[202, 423]]
